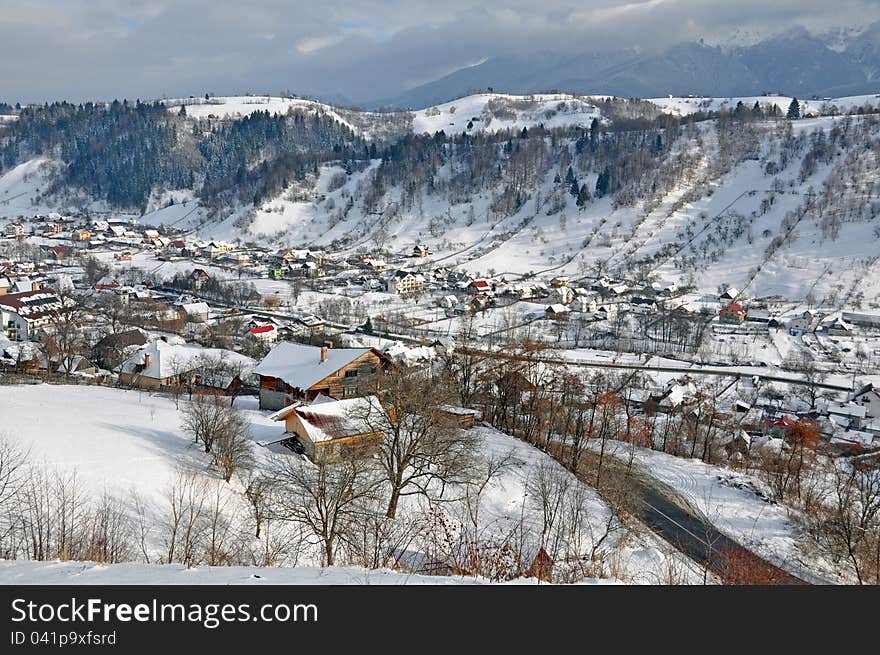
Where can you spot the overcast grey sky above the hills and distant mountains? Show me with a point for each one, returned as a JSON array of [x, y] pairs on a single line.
[[359, 49]]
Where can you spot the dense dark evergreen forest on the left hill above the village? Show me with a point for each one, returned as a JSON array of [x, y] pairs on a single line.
[[120, 152]]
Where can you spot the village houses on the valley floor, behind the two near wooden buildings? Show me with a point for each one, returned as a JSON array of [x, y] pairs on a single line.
[[217, 299]]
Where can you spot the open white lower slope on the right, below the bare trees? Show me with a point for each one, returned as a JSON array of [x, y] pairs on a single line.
[[712, 227]]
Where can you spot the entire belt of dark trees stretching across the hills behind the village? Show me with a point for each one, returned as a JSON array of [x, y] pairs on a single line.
[[122, 151]]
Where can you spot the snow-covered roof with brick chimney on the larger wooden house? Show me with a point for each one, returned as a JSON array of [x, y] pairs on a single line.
[[300, 366]]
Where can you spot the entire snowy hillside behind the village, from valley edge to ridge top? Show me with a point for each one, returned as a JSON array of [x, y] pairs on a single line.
[[768, 208]]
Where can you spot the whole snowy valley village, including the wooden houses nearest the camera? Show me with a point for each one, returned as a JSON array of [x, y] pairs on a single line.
[[307, 340]]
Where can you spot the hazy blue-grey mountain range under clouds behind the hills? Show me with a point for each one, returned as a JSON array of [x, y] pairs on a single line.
[[795, 62]]
